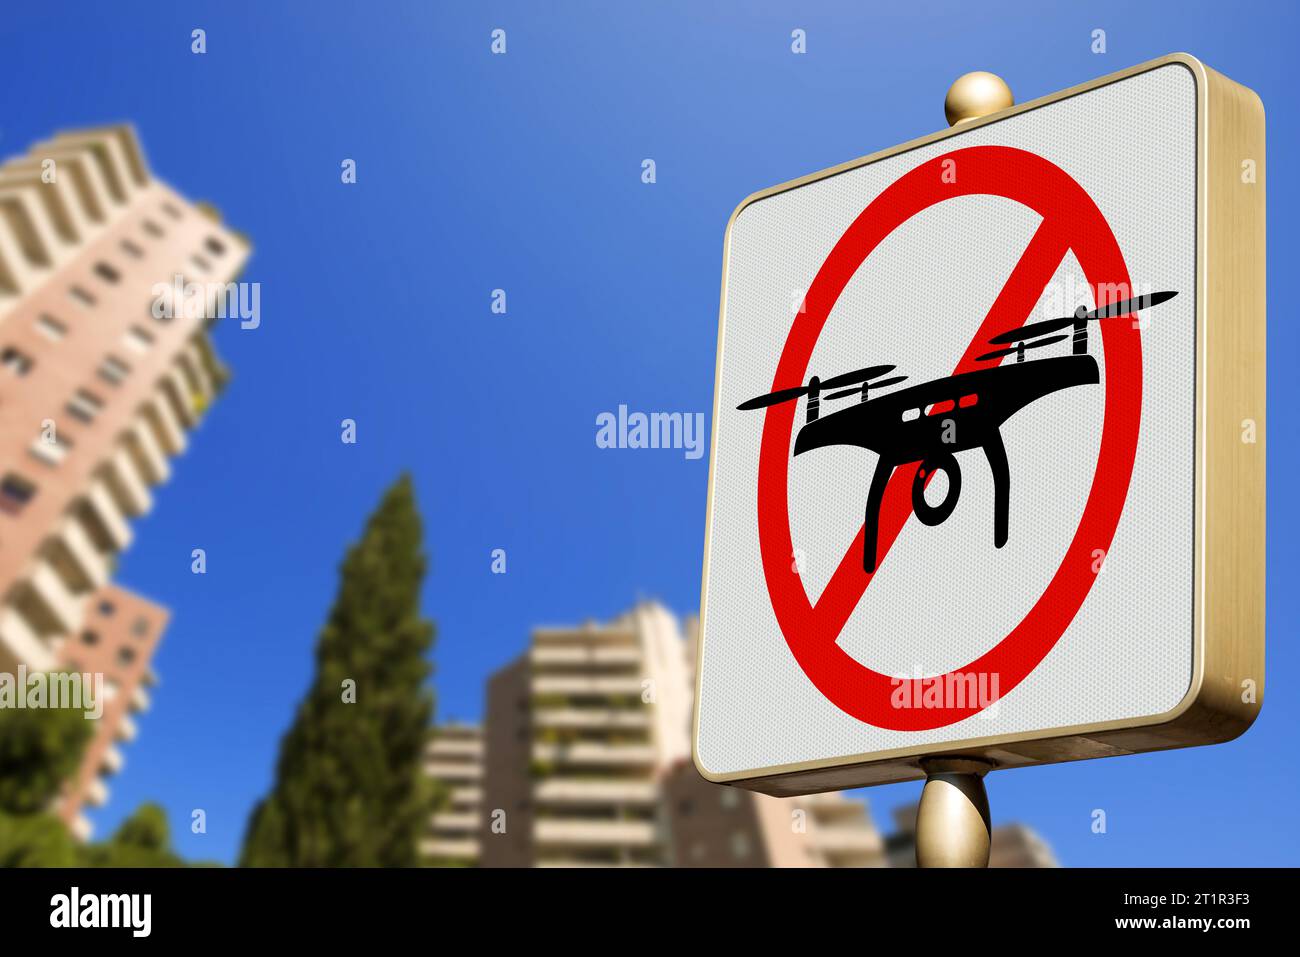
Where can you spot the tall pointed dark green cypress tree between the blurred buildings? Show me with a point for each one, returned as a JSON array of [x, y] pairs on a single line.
[[349, 786]]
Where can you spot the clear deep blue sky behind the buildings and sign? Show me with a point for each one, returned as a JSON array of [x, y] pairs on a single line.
[[522, 172]]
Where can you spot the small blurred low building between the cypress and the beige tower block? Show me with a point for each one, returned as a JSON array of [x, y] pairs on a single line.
[[454, 759]]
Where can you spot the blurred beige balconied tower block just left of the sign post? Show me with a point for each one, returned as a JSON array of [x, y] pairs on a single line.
[[579, 733]]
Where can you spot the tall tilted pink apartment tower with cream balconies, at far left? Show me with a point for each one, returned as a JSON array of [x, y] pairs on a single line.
[[97, 395]]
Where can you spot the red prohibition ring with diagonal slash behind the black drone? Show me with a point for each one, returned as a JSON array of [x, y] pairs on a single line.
[[1072, 222]]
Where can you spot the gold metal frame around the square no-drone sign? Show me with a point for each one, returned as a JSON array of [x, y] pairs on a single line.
[[1227, 688]]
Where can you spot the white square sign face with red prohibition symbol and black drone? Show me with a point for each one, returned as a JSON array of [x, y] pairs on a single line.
[[1002, 543]]
